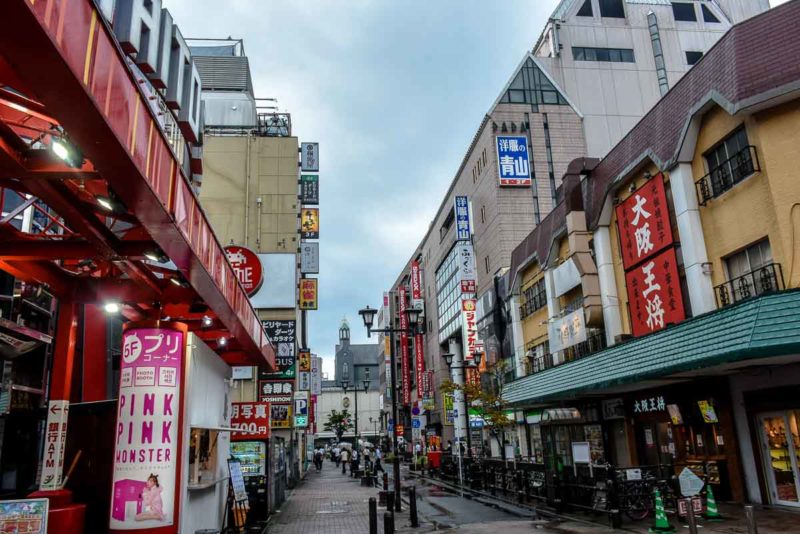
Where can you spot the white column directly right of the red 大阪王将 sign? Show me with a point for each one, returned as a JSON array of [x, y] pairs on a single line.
[[693, 245]]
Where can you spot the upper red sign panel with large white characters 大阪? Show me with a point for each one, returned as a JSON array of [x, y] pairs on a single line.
[[643, 223]]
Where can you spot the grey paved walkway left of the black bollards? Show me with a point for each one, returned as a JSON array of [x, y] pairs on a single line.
[[329, 503]]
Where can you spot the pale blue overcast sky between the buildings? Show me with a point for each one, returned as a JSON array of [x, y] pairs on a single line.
[[393, 91]]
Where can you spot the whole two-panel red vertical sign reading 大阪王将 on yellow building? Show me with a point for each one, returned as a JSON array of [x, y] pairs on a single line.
[[651, 266]]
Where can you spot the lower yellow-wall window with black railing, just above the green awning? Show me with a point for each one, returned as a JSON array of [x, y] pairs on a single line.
[[751, 272]]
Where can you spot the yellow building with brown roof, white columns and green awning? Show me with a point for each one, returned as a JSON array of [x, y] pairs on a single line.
[[700, 315]]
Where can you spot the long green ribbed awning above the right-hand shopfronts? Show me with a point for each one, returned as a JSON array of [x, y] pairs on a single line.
[[761, 327]]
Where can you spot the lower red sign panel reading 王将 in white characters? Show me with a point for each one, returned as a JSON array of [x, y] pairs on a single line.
[[654, 293]]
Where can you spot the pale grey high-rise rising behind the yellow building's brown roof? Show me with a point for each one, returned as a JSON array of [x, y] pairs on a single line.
[[616, 58]]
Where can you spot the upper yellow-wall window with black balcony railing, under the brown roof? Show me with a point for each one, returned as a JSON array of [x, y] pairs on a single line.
[[730, 162]]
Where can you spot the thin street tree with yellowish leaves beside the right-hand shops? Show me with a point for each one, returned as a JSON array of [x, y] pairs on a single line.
[[487, 401]]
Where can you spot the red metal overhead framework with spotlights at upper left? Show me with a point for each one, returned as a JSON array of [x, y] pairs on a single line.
[[63, 78]]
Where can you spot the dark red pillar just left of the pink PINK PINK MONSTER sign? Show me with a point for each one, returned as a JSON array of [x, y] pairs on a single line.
[[94, 354]]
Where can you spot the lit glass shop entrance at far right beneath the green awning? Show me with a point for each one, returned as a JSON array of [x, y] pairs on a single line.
[[780, 441]]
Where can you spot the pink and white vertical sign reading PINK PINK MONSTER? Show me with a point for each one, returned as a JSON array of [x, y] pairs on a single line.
[[146, 459]]
